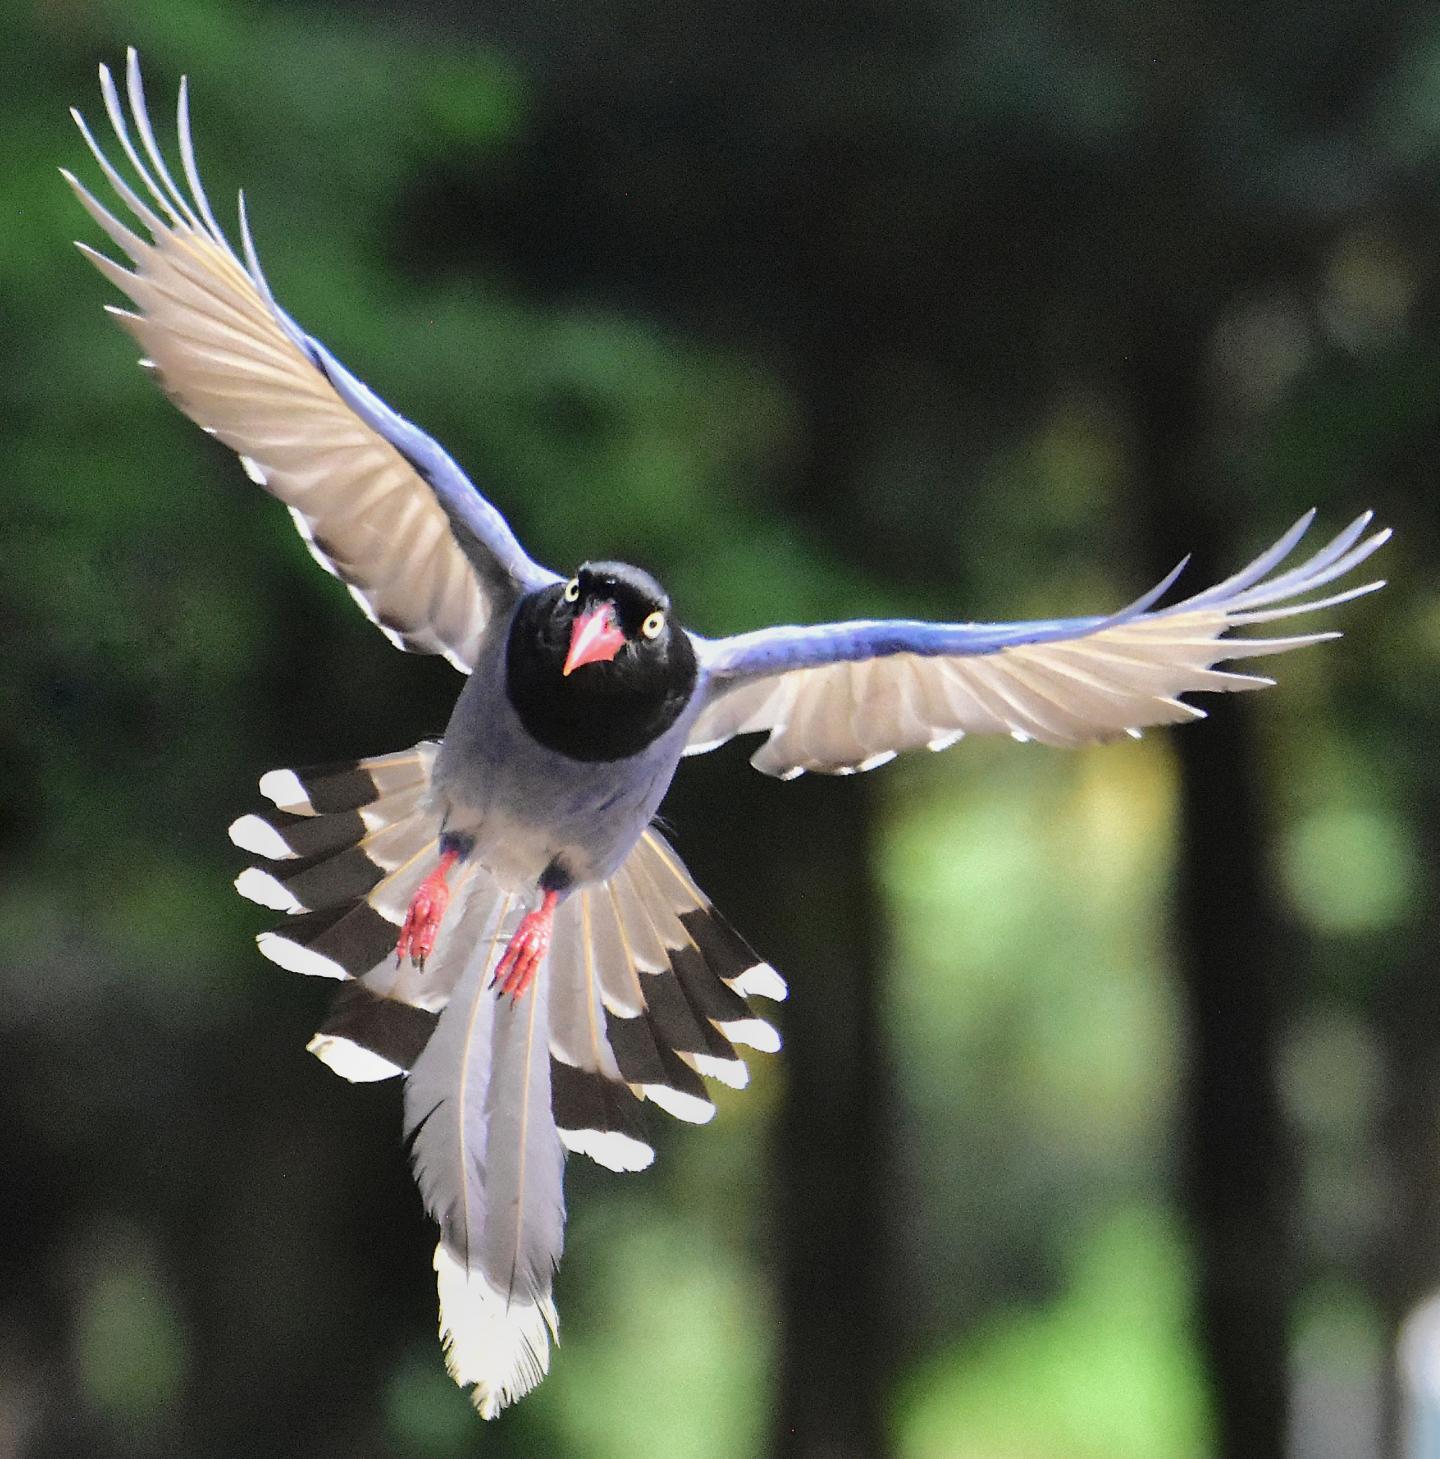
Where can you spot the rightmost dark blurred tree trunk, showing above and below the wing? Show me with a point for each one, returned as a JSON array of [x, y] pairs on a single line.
[[1231, 952]]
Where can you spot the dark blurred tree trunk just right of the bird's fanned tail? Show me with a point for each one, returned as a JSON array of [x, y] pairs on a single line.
[[834, 1131]]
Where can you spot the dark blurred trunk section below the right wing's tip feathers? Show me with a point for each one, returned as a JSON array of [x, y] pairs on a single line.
[[1238, 1177]]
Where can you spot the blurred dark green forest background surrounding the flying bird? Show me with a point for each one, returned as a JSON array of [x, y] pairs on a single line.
[[1108, 1124]]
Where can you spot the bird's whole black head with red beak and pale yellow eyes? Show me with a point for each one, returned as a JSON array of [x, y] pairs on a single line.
[[597, 667]]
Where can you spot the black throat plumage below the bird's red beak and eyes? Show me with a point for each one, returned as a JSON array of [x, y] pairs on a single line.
[[602, 711]]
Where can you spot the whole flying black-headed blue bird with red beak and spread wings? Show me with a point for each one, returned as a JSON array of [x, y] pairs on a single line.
[[511, 932]]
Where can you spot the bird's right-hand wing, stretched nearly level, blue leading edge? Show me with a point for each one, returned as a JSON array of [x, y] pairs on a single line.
[[850, 697]]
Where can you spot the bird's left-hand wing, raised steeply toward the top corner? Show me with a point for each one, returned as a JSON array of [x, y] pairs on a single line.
[[380, 504]]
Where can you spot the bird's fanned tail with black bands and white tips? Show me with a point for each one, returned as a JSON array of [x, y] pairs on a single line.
[[641, 999]]
